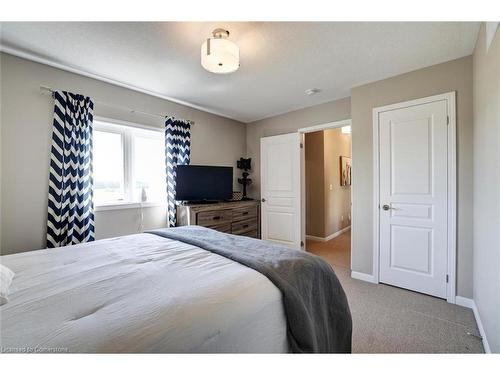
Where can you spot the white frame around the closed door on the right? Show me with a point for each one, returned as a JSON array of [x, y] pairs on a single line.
[[450, 99]]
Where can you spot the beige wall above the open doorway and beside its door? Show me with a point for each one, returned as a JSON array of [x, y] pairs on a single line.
[[288, 123]]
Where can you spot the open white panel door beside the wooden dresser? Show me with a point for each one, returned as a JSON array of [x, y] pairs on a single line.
[[280, 189]]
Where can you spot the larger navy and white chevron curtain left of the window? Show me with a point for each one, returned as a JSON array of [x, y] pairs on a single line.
[[70, 217]]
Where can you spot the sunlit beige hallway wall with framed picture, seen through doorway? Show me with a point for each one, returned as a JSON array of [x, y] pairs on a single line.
[[337, 198]]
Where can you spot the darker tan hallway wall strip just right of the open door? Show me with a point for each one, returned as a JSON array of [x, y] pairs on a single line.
[[315, 184]]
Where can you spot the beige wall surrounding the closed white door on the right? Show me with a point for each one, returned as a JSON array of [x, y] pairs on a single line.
[[454, 75]]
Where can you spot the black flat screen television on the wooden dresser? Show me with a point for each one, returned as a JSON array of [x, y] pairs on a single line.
[[204, 183]]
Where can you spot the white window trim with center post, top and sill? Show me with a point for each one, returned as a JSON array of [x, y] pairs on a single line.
[[126, 130]]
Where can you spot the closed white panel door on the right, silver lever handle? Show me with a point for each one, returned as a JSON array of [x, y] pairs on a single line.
[[413, 197]]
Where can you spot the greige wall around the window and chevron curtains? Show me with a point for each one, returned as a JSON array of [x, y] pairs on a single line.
[[26, 117]]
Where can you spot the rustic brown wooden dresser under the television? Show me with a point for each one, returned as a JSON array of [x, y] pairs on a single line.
[[242, 217]]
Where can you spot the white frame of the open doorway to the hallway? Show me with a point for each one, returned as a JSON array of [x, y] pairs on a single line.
[[302, 132]]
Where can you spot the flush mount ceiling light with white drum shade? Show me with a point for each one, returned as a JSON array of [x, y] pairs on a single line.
[[219, 54]]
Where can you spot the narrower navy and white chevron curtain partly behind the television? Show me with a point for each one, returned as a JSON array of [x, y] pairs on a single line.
[[177, 152]]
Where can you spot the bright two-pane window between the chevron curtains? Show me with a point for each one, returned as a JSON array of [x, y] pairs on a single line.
[[128, 165]]
